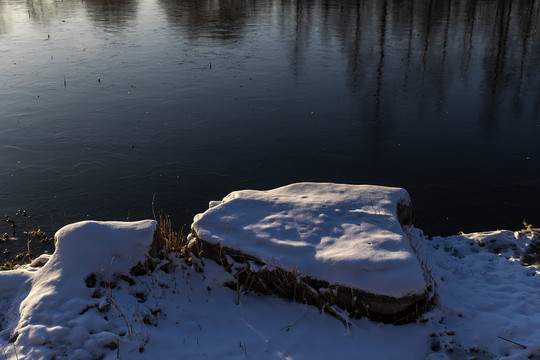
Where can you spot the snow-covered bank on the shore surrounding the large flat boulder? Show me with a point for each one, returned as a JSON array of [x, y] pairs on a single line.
[[486, 306]]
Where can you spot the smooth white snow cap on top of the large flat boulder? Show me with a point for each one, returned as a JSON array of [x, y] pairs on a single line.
[[344, 234]]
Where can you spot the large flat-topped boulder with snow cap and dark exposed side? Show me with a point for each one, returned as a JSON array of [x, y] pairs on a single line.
[[339, 247]]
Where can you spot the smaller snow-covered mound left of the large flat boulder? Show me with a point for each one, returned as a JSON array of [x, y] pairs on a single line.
[[44, 304]]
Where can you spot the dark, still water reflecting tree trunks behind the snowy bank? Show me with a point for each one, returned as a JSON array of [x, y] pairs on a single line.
[[105, 103]]
